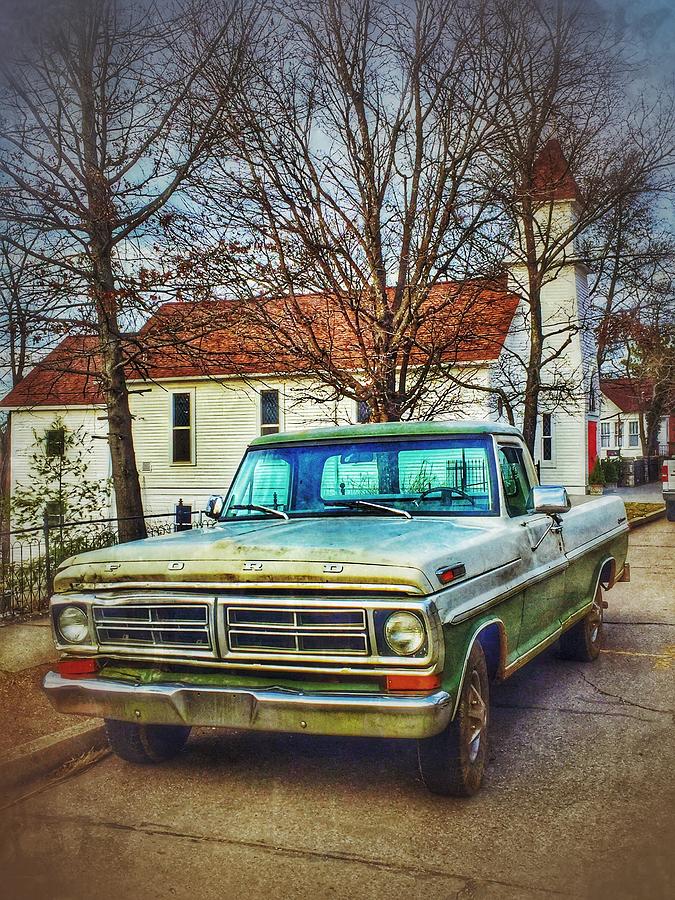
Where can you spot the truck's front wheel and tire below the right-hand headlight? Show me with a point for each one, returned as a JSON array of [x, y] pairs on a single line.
[[453, 762]]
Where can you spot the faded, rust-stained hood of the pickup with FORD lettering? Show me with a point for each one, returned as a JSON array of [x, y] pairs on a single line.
[[345, 552]]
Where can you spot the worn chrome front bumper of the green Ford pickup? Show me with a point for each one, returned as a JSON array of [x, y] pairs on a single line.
[[273, 709]]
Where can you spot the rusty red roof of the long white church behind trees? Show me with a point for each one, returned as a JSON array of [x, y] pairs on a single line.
[[463, 322]]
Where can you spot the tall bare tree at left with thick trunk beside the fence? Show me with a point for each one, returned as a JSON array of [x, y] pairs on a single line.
[[103, 118]]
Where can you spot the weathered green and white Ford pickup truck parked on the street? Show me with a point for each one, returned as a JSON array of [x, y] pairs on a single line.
[[370, 580]]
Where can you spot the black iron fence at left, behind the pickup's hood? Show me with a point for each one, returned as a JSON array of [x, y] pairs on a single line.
[[30, 556]]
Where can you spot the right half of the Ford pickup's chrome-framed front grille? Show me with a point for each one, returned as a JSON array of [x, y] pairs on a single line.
[[261, 629]]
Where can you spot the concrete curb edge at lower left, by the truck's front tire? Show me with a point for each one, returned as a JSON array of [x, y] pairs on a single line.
[[45, 754]]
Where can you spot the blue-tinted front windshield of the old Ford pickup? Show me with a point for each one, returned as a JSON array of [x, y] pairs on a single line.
[[430, 476]]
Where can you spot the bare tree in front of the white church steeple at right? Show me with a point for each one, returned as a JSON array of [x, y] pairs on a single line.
[[562, 130]]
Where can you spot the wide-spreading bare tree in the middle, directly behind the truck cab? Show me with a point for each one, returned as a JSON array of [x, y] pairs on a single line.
[[351, 192]]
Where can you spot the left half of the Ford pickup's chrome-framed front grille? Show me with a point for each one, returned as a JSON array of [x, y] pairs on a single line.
[[165, 625]]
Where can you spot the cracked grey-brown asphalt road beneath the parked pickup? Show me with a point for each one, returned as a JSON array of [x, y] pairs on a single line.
[[578, 800]]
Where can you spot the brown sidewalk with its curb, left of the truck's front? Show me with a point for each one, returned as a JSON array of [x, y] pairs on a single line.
[[34, 738]]
